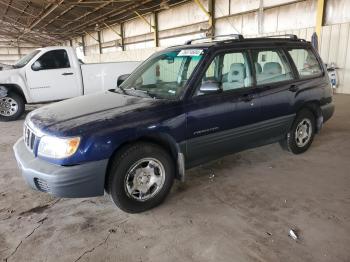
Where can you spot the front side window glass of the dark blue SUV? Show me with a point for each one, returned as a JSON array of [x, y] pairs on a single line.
[[229, 71]]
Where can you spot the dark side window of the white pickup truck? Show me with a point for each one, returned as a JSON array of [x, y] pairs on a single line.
[[55, 59]]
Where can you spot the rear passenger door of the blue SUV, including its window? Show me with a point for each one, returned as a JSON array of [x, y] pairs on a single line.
[[276, 84]]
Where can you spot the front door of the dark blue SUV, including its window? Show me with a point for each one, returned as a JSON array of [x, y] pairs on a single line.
[[220, 123]]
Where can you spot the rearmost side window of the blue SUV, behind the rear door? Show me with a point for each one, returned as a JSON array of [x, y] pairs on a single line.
[[306, 62]]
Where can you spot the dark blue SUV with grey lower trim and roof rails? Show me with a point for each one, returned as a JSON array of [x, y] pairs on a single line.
[[182, 107]]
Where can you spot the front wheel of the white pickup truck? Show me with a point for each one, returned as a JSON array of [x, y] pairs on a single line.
[[11, 107]]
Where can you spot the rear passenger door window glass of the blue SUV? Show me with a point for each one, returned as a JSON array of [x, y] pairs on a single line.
[[271, 66]]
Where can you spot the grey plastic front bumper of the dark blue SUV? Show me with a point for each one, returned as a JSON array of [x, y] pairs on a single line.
[[85, 180]]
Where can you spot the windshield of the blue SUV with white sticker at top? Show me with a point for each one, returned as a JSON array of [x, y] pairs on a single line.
[[164, 75]]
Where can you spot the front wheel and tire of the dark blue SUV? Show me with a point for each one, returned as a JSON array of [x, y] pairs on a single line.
[[133, 174]]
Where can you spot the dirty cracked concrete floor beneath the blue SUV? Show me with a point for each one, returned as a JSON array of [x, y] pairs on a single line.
[[239, 208]]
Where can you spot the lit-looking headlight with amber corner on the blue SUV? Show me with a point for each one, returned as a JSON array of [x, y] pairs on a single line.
[[55, 147]]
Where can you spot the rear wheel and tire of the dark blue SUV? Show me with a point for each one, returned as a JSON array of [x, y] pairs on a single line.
[[305, 122]]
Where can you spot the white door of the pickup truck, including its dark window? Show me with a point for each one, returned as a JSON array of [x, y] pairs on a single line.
[[51, 77]]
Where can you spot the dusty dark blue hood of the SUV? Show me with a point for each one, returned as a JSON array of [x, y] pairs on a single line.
[[84, 112]]
